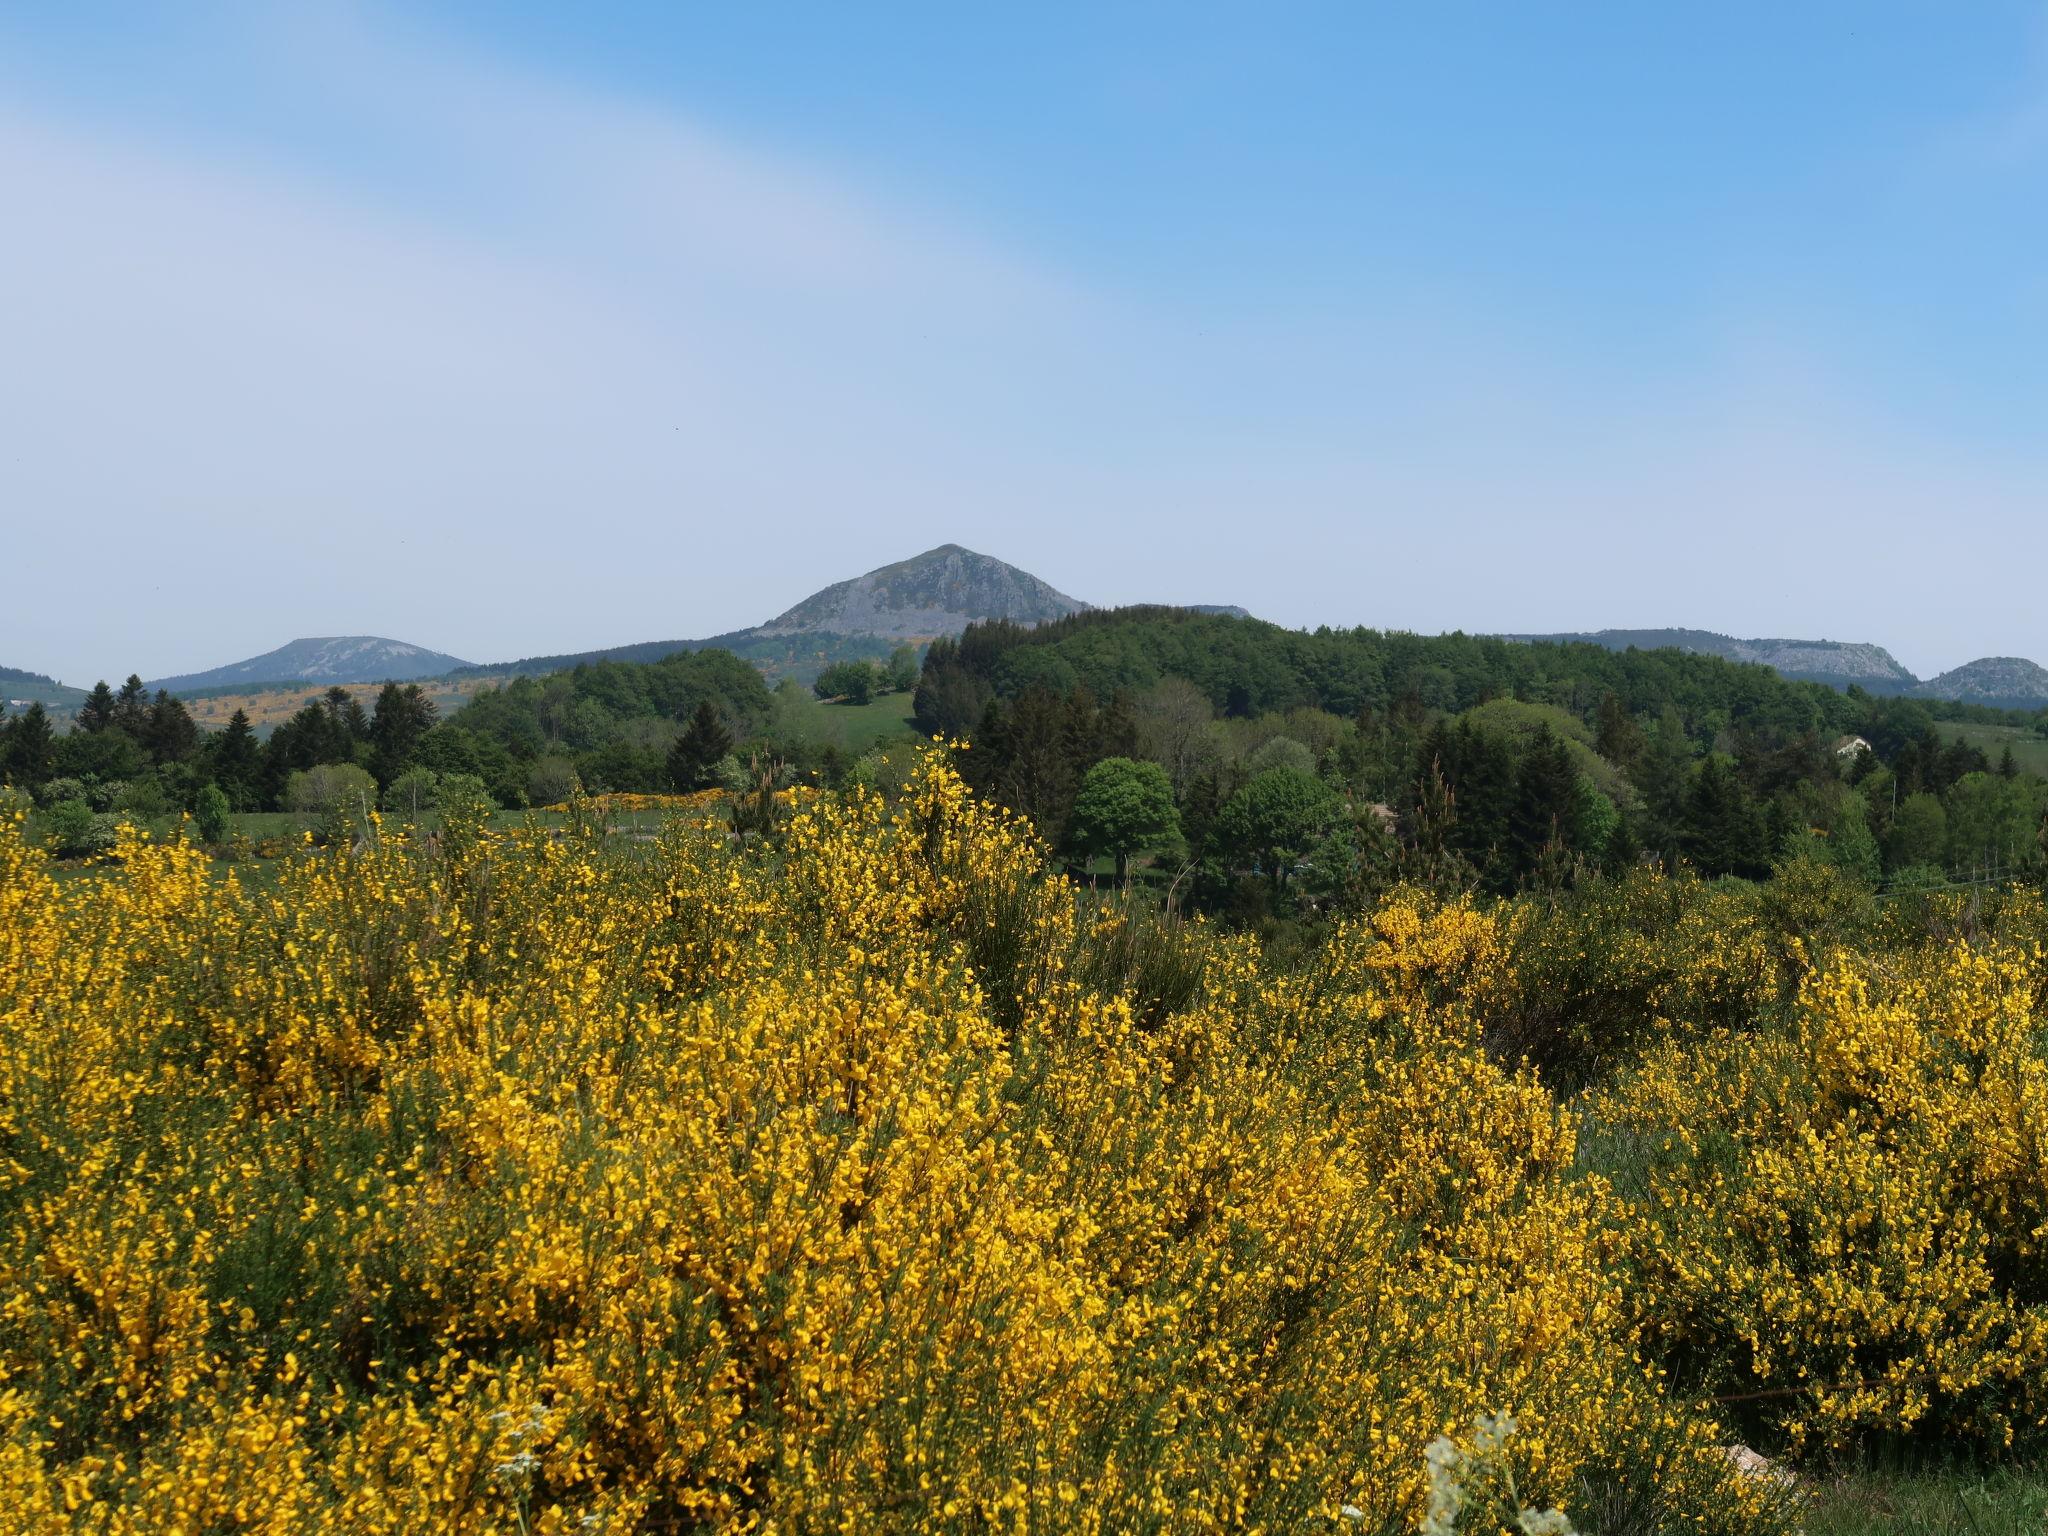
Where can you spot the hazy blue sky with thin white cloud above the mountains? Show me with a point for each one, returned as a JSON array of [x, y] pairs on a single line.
[[519, 329]]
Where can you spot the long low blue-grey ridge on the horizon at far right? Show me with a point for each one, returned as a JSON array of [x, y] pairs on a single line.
[[2000, 683]]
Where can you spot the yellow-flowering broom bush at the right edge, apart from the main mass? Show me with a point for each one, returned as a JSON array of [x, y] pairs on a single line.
[[1844, 1224]]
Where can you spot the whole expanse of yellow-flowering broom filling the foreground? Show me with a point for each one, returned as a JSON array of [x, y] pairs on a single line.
[[859, 1175]]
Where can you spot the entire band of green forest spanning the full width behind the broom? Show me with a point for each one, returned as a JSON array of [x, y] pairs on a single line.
[[1256, 769]]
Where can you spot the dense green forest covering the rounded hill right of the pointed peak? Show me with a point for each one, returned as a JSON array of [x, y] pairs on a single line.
[[1330, 759]]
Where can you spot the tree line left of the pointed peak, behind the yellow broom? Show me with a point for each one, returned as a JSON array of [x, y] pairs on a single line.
[[679, 724]]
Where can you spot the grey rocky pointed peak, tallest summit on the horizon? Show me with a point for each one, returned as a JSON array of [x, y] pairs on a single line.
[[929, 595]]
